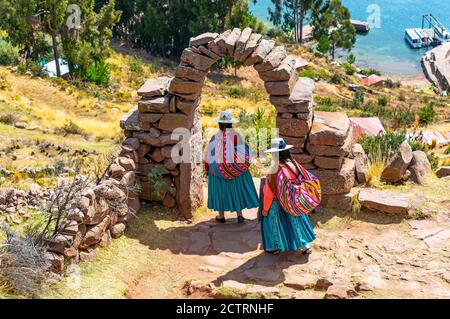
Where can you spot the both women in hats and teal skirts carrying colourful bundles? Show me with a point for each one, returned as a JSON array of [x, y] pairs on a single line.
[[288, 195]]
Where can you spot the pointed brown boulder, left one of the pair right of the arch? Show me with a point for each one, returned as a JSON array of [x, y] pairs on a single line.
[[396, 168]]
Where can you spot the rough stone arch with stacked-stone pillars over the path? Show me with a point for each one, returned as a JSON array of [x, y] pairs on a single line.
[[169, 103]]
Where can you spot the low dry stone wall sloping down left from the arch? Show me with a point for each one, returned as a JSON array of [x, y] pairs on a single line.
[[100, 214]]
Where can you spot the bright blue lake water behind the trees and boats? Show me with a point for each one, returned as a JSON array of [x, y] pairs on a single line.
[[384, 48]]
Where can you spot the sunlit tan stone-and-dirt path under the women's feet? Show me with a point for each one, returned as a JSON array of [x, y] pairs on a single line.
[[374, 254]]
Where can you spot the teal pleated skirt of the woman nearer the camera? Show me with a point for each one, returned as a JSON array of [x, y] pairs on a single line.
[[282, 231]]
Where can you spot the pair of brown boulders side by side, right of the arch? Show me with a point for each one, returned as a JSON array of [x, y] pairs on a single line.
[[407, 165]]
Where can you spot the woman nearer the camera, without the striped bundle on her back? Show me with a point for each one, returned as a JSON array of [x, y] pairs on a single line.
[[280, 230]]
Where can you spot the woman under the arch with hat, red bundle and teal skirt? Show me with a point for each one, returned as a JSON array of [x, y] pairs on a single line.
[[230, 184]]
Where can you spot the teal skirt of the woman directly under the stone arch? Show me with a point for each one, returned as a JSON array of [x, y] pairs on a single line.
[[231, 195]]
